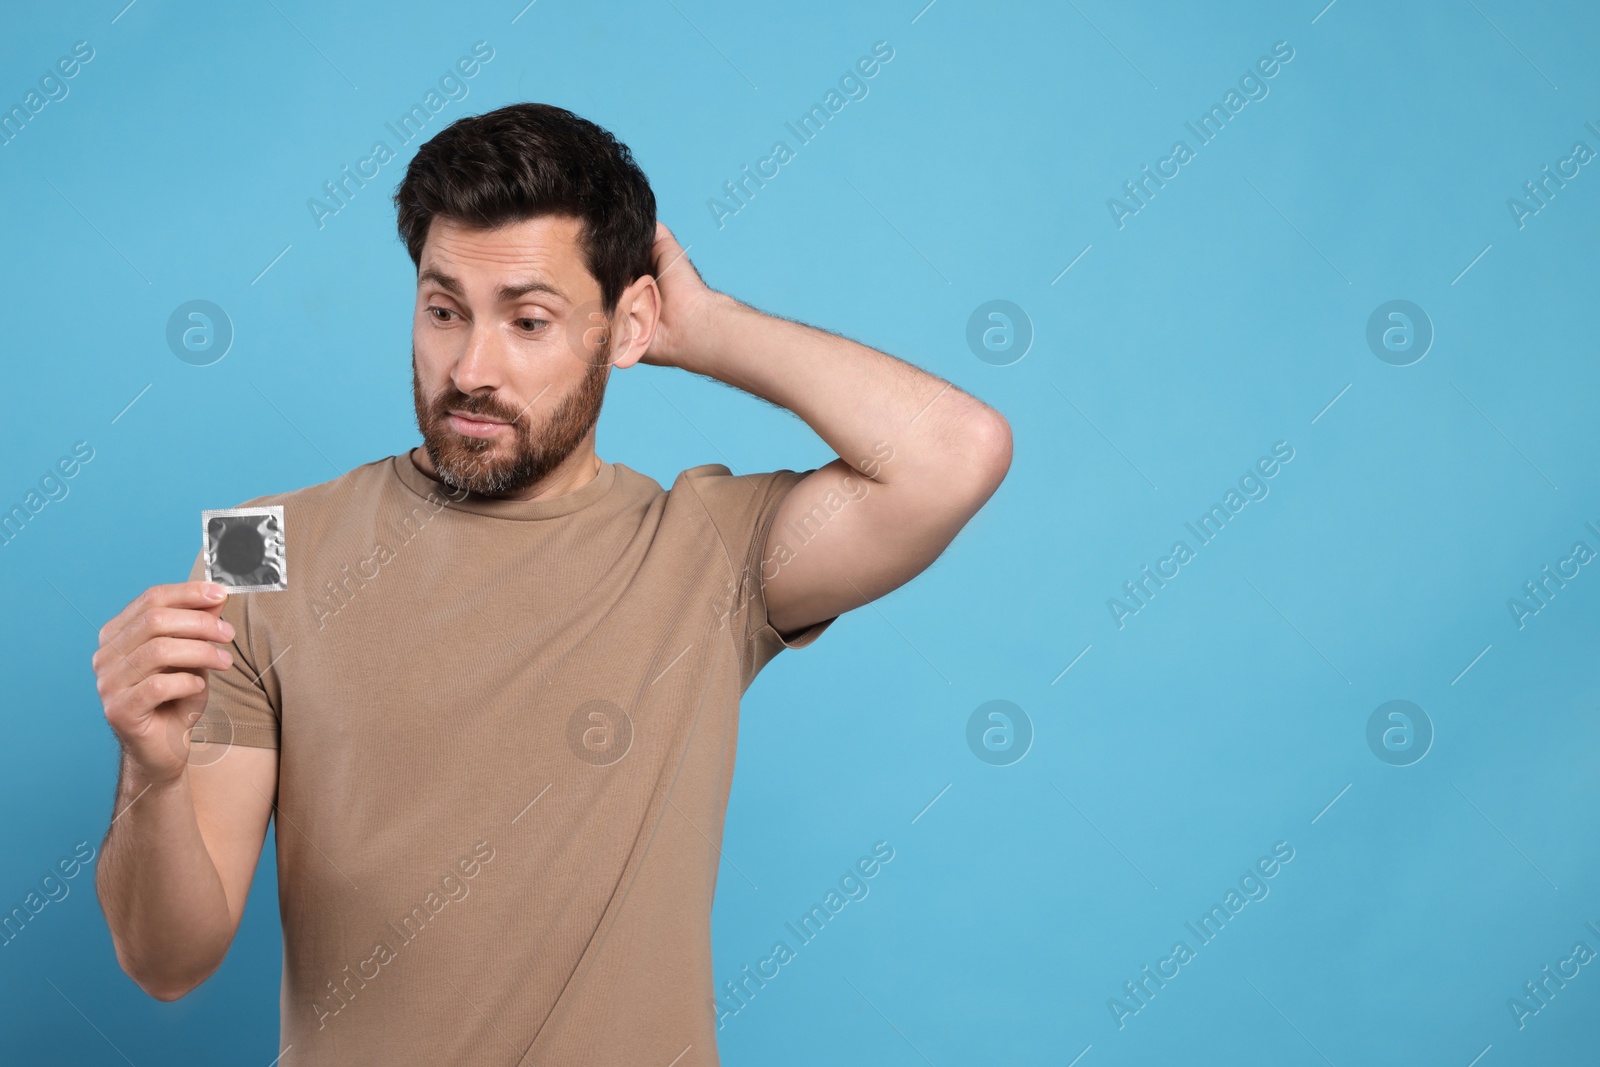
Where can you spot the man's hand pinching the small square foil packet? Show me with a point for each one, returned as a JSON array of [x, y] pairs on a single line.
[[151, 673]]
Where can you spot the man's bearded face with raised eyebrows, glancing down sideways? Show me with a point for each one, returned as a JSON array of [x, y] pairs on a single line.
[[510, 359]]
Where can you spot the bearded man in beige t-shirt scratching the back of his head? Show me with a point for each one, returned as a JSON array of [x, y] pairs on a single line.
[[495, 713]]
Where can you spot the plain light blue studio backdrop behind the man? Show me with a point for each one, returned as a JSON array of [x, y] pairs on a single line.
[[1223, 318]]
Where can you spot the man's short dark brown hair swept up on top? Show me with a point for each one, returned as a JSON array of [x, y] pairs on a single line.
[[530, 161]]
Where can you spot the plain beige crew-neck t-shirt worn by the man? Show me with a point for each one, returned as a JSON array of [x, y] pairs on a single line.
[[506, 737]]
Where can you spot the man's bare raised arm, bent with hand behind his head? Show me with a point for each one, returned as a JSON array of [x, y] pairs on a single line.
[[918, 457]]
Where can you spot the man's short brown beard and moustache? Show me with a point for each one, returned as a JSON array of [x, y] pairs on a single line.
[[490, 466]]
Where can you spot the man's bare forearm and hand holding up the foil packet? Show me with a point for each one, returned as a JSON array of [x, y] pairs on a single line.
[[186, 834]]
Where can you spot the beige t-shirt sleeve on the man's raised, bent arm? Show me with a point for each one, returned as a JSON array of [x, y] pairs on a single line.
[[743, 510]]
